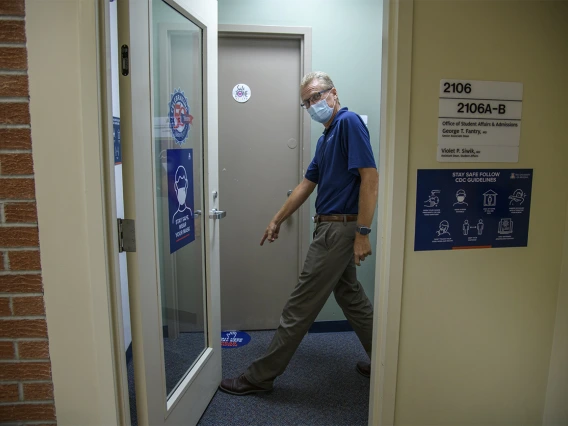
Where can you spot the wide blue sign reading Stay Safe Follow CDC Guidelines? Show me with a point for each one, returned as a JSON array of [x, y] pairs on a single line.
[[471, 208]]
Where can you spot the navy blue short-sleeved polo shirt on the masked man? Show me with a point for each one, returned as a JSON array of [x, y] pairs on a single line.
[[343, 148]]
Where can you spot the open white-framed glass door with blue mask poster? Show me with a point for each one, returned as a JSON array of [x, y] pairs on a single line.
[[168, 68]]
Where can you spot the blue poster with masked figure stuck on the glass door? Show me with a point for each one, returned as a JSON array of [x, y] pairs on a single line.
[[180, 198]]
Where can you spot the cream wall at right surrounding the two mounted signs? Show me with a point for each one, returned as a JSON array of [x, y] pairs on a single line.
[[477, 325]]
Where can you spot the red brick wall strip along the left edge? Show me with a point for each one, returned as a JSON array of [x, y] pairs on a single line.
[[26, 390]]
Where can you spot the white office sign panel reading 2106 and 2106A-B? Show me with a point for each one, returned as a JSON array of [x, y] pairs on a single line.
[[479, 121]]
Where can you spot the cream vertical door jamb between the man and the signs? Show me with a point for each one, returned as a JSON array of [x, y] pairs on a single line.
[[393, 177]]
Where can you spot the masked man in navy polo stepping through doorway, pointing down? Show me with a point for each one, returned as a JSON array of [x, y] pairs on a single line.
[[345, 172]]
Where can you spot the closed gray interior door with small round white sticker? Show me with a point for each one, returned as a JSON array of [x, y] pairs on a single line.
[[259, 162]]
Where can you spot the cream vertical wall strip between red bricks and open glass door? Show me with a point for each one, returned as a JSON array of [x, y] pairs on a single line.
[[66, 134]]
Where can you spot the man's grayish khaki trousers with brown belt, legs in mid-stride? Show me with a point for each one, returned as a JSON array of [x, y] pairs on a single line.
[[329, 266]]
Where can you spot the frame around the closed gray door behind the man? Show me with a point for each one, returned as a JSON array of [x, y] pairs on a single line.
[[304, 35]]
